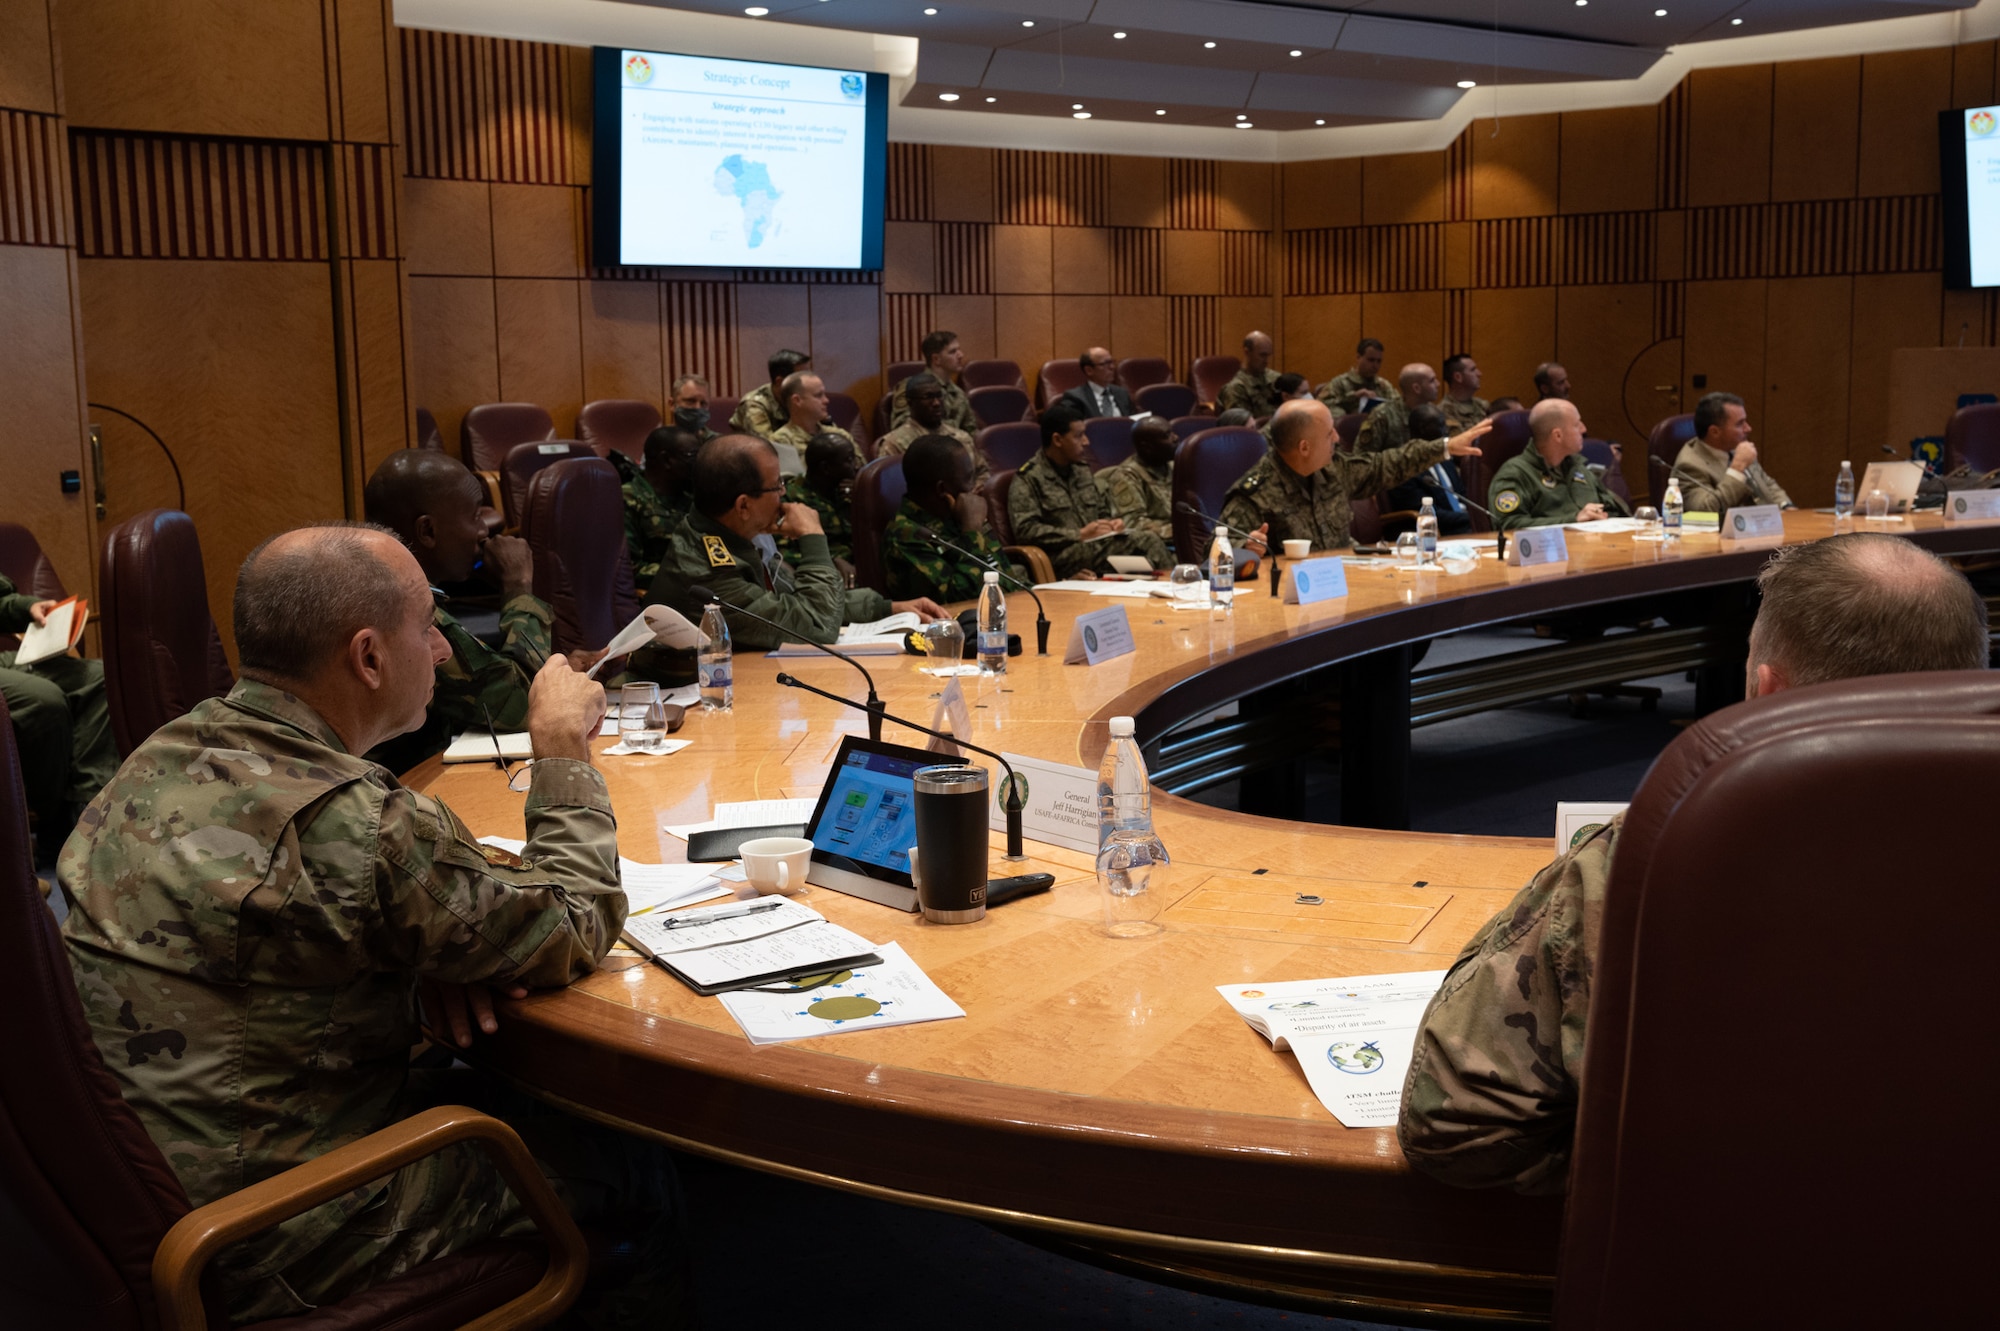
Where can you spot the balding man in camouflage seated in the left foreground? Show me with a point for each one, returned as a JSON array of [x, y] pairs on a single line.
[[257, 998]]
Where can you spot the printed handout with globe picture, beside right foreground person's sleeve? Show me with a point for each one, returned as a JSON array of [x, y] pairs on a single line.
[[1353, 1036]]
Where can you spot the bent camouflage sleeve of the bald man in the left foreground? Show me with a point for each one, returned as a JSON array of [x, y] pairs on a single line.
[[463, 912]]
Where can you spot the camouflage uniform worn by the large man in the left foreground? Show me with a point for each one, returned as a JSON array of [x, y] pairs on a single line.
[[251, 908]]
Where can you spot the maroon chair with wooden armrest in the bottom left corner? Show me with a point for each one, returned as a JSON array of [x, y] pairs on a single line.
[[101, 1234]]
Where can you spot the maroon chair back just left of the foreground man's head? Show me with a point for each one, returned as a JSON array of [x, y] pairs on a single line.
[[161, 649]]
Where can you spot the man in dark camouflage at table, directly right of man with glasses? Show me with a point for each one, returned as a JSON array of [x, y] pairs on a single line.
[[939, 497]]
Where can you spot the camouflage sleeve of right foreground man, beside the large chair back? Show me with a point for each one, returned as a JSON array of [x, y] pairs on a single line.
[[1493, 1086]]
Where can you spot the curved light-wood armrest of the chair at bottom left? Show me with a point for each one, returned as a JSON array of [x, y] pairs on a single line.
[[201, 1234]]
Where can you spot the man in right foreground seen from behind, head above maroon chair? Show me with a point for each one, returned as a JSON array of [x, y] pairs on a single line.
[[1493, 1088]]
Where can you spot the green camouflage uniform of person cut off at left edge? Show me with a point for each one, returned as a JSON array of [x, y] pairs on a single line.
[[63, 722]]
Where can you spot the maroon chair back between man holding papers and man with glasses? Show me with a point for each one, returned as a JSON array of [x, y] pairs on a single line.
[[575, 525]]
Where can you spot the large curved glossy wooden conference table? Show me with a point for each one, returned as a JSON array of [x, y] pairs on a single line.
[[1099, 1092]]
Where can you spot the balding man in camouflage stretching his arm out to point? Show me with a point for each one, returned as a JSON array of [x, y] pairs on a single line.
[[1301, 489]]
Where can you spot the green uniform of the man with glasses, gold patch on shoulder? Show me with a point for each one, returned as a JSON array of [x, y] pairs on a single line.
[[809, 601]]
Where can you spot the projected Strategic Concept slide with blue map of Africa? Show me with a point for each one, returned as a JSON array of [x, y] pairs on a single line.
[[739, 165]]
